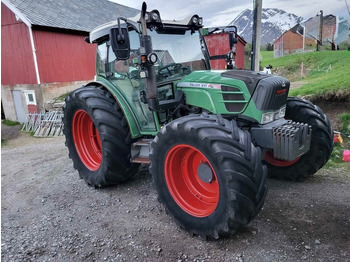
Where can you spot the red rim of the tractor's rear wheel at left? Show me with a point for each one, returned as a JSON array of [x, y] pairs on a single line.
[[87, 140]]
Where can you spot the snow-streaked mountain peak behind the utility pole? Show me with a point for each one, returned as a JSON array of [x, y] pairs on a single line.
[[273, 23]]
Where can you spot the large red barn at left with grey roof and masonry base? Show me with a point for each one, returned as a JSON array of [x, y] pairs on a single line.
[[43, 52]]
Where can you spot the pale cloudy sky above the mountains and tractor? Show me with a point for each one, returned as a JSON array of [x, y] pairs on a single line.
[[222, 12]]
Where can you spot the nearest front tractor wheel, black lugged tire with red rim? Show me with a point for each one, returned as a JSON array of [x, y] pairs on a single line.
[[208, 174]]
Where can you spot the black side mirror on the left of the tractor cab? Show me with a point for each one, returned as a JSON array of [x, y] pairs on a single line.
[[120, 43]]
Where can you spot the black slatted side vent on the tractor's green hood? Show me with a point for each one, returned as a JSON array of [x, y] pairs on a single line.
[[233, 99]]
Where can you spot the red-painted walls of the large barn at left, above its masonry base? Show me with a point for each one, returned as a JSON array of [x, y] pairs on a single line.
[[61, 57]]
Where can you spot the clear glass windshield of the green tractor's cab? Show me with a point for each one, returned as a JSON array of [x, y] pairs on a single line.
[[178, 55]]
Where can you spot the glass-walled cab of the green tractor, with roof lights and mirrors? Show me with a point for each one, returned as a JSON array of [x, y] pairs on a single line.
[[147, 79]]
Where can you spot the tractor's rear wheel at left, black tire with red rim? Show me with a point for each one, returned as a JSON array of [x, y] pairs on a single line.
[[97, 137]]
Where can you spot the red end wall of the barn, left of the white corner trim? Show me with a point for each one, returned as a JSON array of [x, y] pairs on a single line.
[[17, 63]]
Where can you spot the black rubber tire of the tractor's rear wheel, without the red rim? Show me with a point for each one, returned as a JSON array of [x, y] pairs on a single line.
[[114, 135]]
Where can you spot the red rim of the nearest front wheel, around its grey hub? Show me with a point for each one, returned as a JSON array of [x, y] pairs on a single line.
[[194, 196]]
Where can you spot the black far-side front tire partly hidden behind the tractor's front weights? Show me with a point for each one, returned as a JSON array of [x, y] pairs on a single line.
[[321, 147]]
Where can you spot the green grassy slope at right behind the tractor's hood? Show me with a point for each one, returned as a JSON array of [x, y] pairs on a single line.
[[325, 73]]
